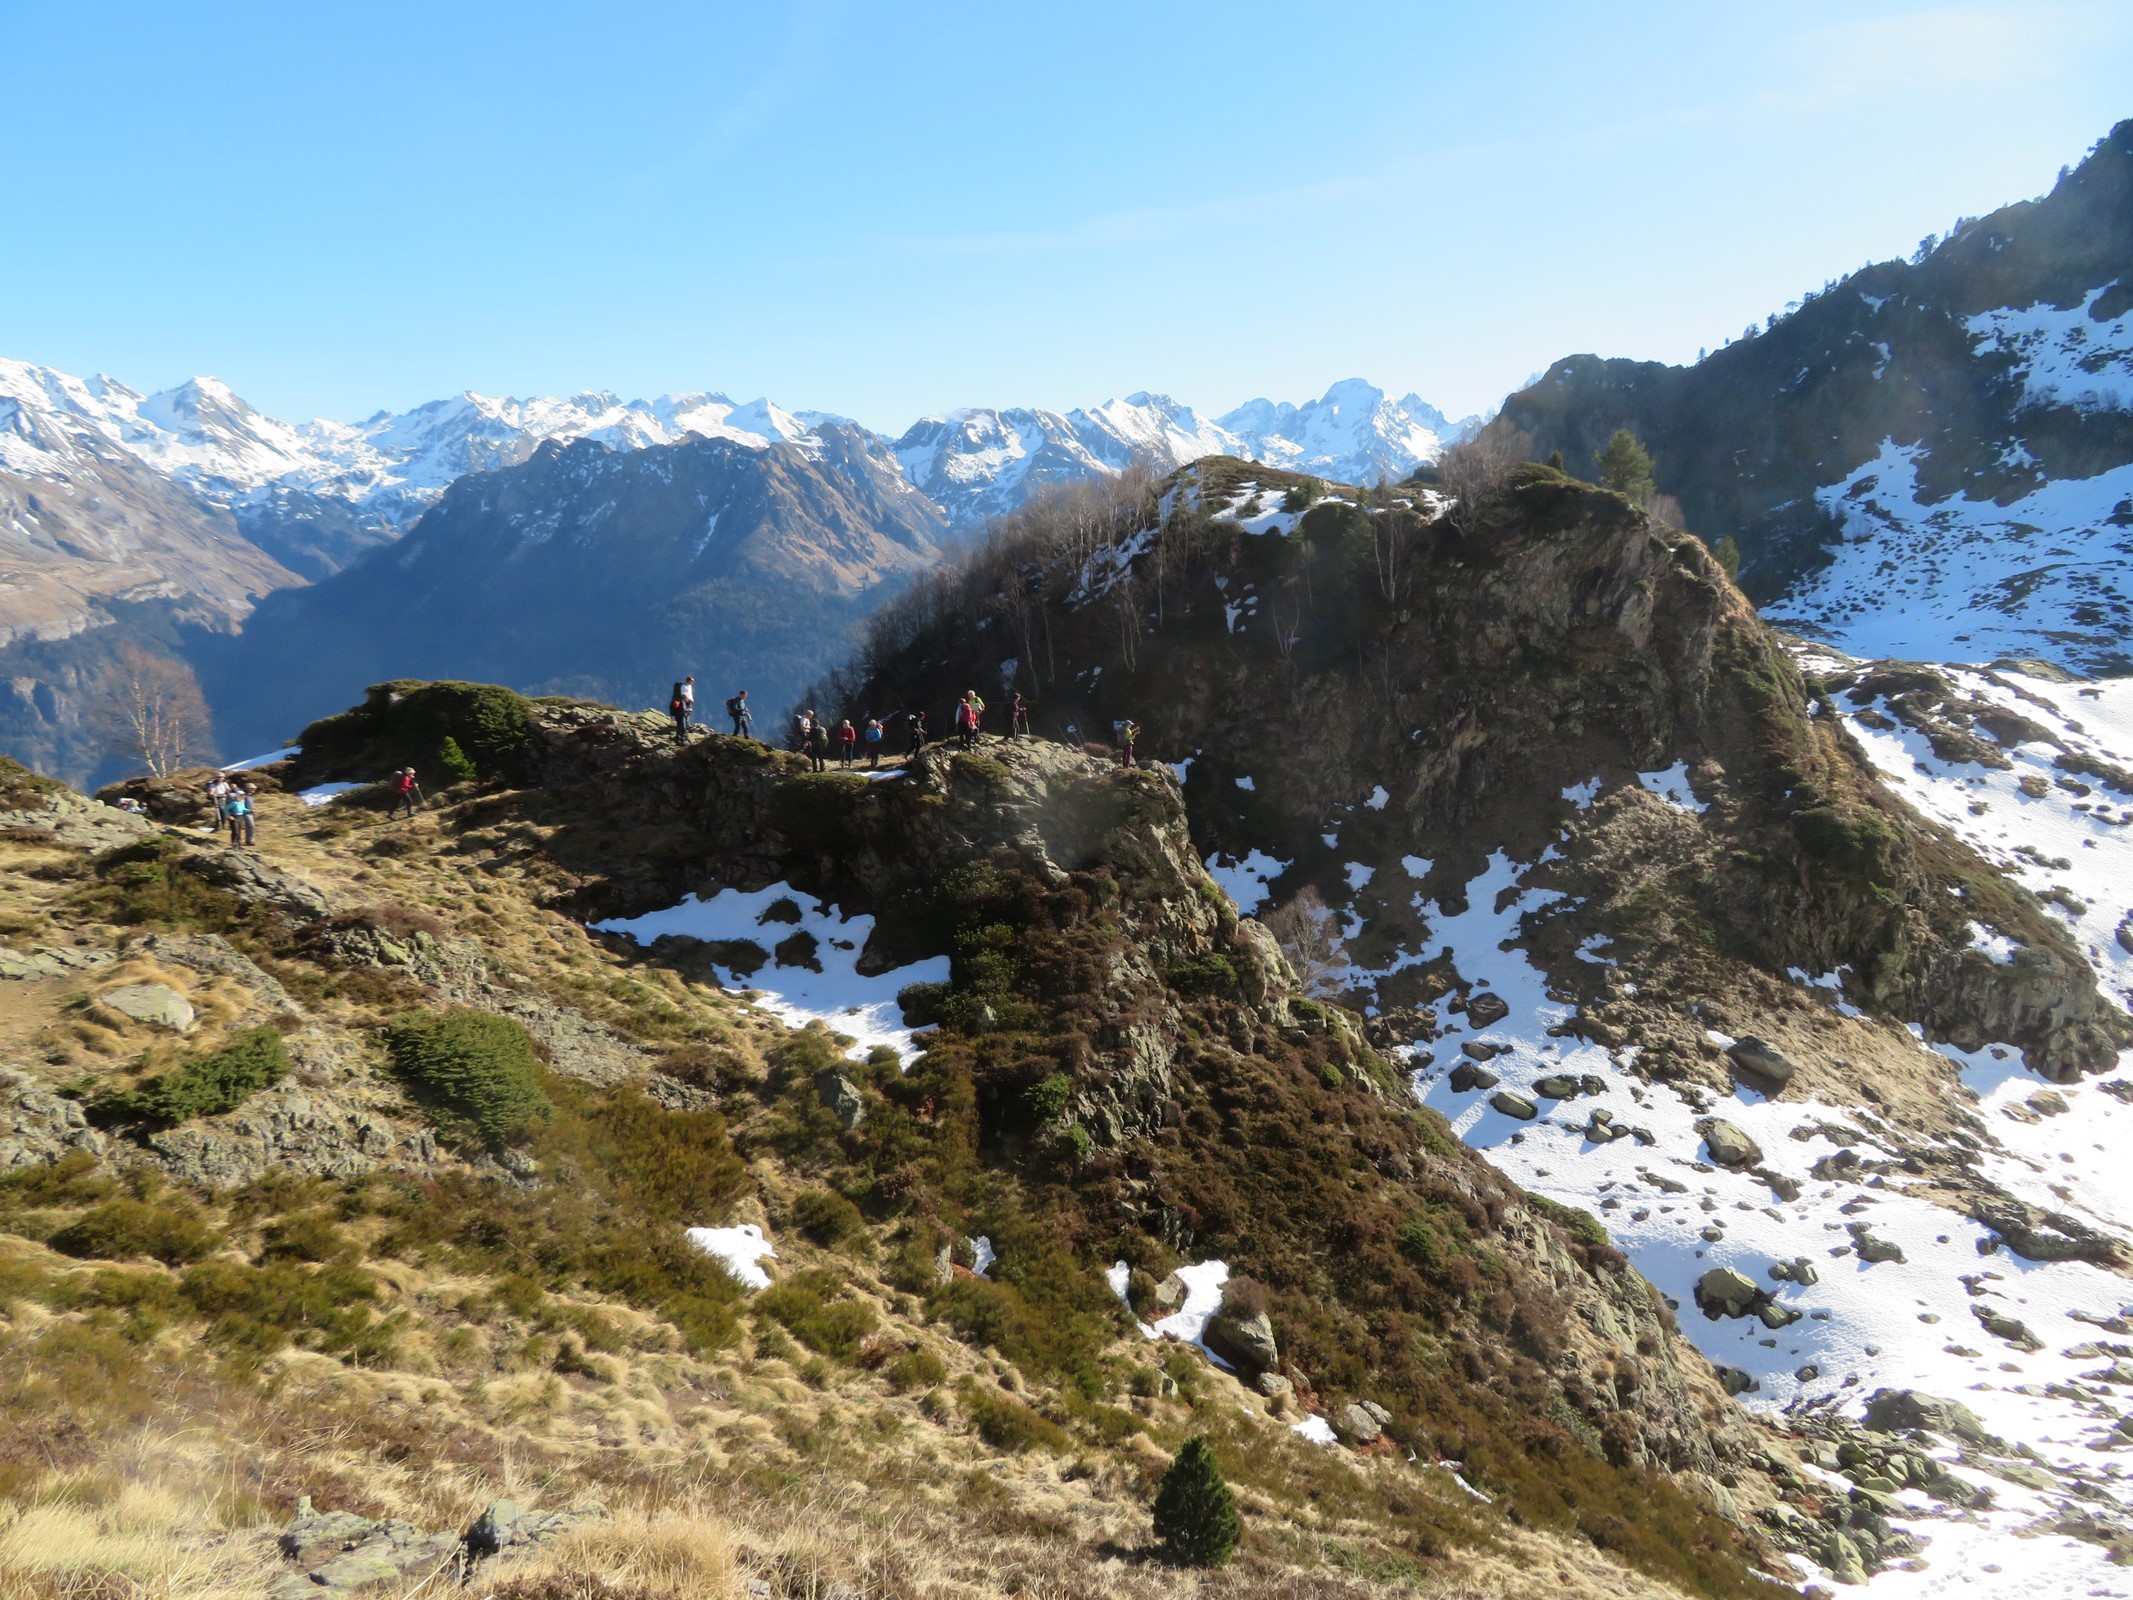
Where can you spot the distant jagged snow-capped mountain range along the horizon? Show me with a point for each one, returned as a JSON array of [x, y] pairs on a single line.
[[396, 464]]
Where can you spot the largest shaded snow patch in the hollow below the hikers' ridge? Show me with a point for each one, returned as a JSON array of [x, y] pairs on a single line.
[[839, 995]]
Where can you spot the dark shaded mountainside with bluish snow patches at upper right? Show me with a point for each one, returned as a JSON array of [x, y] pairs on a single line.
[[1917, 443]]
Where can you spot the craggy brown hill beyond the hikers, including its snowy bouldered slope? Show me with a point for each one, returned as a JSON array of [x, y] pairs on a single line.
[[1646, 914]]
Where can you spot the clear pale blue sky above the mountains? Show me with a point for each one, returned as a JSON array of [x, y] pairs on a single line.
[[888, 210]]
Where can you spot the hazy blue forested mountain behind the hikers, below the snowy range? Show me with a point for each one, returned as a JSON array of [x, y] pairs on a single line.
[[596, 573]]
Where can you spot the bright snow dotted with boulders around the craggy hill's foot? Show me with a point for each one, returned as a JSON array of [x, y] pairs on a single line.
[[1876, 1270]]
